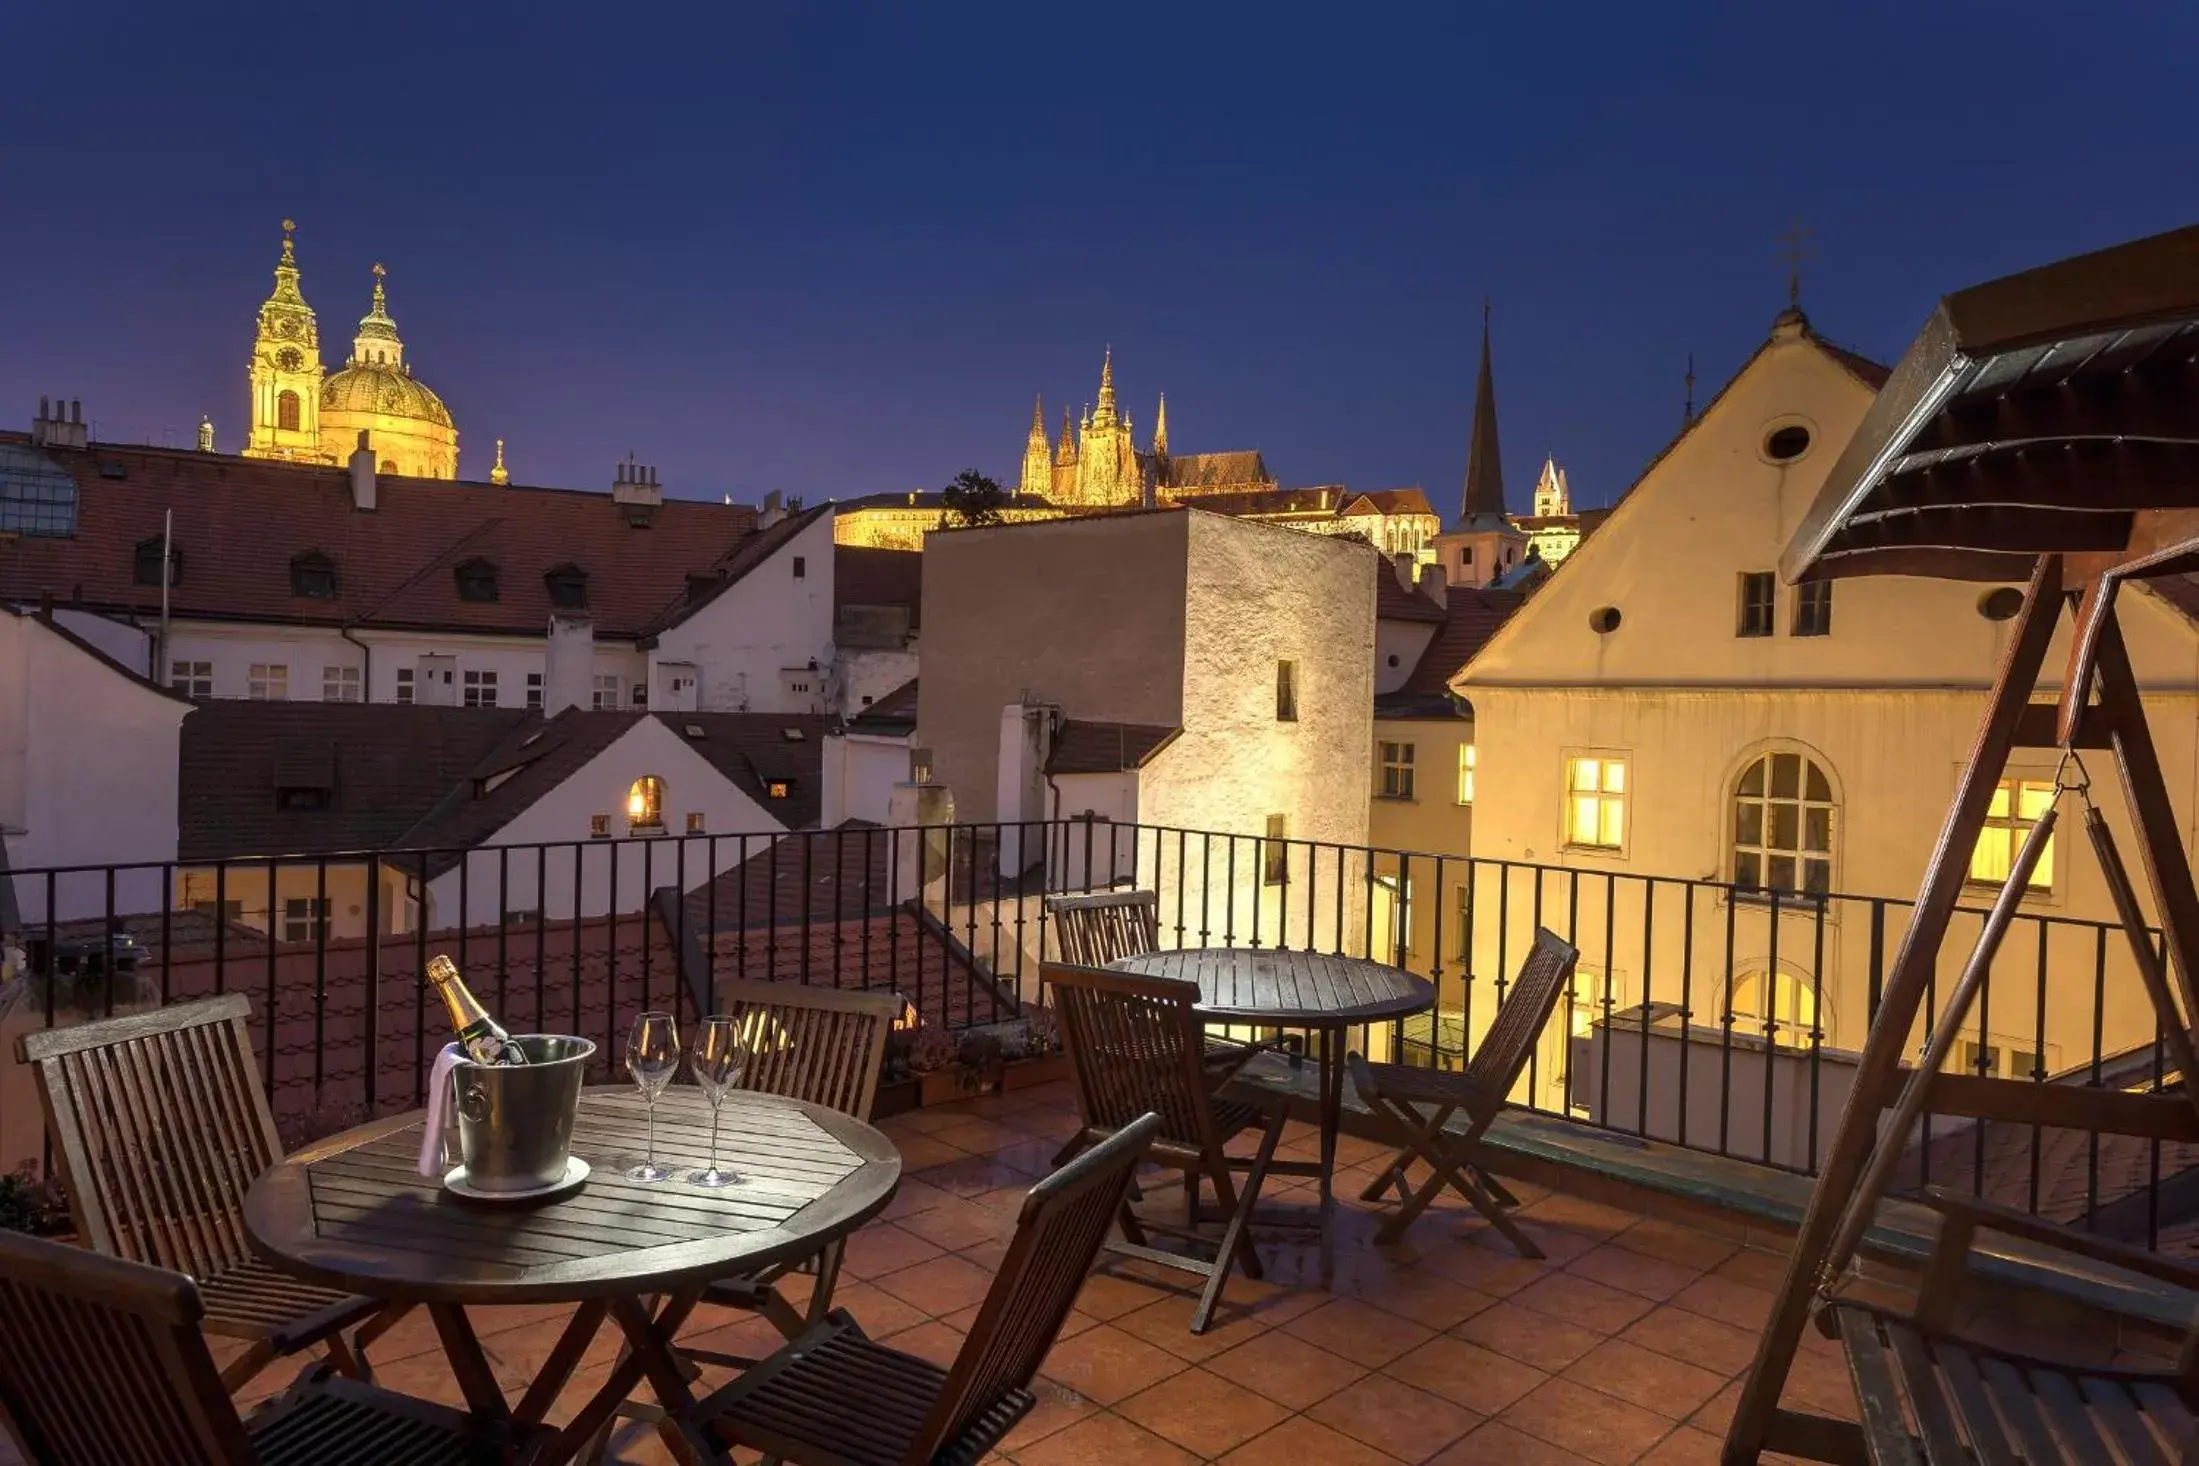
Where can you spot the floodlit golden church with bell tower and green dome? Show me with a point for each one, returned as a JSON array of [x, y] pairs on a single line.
[[305, 414]]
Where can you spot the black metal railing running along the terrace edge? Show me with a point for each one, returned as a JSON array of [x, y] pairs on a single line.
[[1708, 1017]]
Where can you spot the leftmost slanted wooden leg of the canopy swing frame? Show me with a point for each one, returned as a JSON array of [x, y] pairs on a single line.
[[1914, 970]]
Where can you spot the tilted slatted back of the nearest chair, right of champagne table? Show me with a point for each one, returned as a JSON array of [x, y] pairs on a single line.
[[1063, 1223]]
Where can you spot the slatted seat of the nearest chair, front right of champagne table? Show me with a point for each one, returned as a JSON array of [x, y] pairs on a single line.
[[802, 1395]]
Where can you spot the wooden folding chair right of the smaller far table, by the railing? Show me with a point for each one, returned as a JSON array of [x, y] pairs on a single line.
[[1395, 1096]]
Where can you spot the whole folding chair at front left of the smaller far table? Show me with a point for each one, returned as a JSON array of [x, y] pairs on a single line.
[[1136, 1045]]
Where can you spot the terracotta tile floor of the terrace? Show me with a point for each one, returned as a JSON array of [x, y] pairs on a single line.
[[1626, 1346]]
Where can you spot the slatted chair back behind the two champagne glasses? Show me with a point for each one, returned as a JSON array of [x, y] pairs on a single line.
[[821, 1045]]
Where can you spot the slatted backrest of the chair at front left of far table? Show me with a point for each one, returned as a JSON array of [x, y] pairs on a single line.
[[1136, 1045]]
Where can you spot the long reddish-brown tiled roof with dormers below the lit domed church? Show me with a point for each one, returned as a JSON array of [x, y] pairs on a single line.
[[241, 522]]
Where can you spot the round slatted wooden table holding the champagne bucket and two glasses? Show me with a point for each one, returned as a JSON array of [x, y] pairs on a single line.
[[355, 1214]]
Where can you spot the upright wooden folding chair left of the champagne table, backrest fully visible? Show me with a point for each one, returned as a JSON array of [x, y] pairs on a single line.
[[162, 1129]]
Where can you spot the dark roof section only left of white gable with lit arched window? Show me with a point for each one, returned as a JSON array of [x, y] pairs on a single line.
[[390, 764]]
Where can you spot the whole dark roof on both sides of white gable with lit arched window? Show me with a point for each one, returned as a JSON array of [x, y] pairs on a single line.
[[410, 777]]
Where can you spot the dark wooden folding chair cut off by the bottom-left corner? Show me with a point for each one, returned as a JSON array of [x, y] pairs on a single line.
[[104, 1364]]
